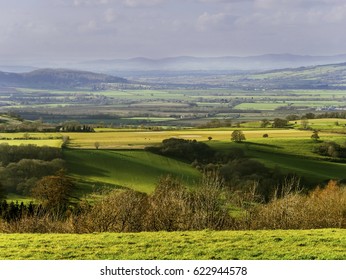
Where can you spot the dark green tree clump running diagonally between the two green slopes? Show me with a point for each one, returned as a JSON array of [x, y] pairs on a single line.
[[236, 170]]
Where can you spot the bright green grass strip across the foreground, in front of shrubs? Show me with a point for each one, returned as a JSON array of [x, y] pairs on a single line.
[[327, 244]]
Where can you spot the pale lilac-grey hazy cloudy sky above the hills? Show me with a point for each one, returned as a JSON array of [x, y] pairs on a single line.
[[91, 29]]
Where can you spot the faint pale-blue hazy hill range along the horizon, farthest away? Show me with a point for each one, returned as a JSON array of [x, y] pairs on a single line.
[[229, 63]]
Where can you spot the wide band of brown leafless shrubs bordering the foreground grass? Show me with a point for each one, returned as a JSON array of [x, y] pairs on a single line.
[[172, 207]]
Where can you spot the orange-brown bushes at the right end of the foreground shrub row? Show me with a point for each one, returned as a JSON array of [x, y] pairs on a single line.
[[322, 208]]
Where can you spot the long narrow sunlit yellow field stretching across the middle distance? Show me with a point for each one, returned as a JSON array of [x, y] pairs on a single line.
[[138, 139]]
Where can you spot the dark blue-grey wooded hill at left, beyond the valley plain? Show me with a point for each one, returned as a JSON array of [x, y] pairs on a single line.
[[56, 78]]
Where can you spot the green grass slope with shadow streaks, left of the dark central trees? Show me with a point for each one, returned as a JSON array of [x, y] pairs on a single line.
[[136, 169]]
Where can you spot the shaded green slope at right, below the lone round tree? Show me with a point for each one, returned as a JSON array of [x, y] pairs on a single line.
[[290, 155]]
